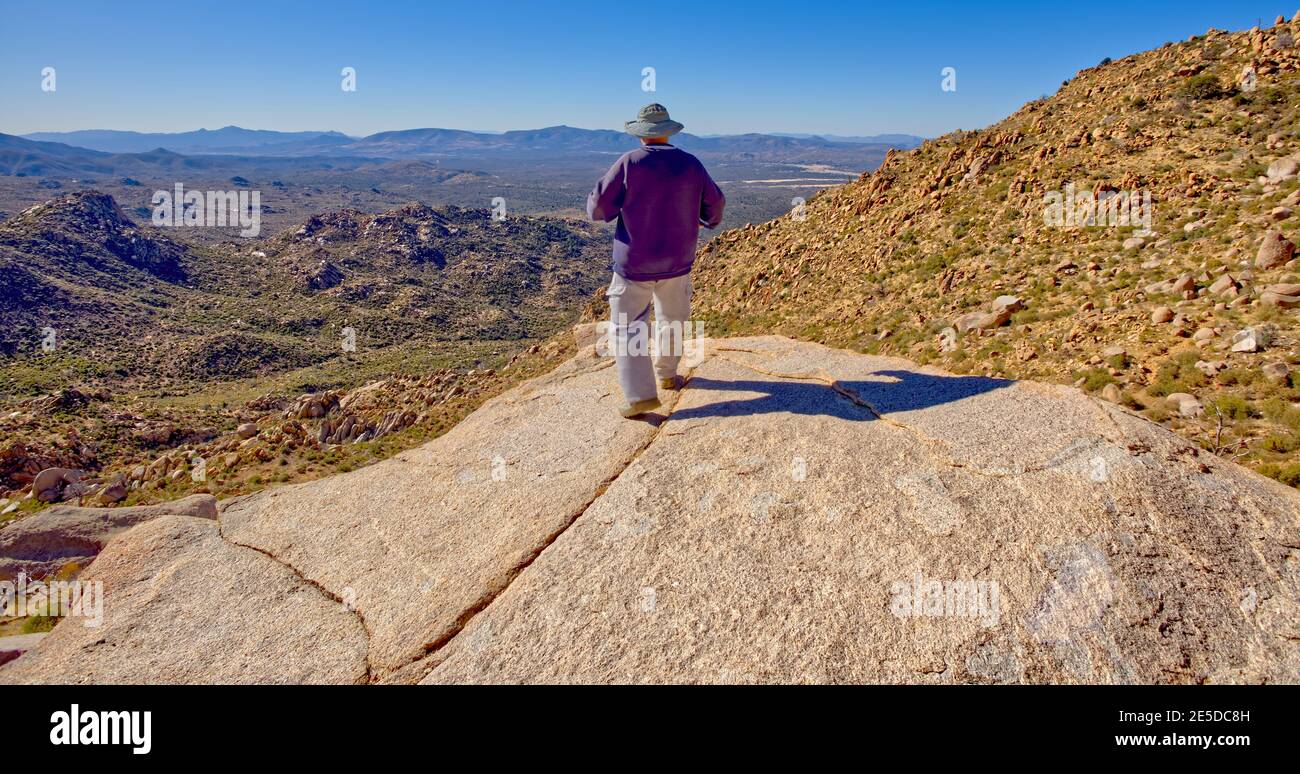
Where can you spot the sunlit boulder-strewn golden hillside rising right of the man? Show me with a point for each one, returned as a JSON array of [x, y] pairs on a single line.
[[952, 254]]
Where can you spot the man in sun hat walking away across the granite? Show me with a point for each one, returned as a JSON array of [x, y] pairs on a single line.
[[661, 197]]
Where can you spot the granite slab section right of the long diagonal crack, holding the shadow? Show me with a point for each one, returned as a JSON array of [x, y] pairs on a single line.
[[714, 583]]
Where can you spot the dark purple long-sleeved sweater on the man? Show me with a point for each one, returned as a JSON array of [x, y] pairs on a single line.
[[661, 196]]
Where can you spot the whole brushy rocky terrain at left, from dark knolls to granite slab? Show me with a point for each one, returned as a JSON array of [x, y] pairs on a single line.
[[162, 351]]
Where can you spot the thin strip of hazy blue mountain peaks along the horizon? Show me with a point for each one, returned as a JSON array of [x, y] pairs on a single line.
[[435, 142]]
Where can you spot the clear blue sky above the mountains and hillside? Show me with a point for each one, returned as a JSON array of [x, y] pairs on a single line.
[[840, 68]]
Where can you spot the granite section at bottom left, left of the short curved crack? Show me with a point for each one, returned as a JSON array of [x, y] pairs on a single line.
[[183, 606]]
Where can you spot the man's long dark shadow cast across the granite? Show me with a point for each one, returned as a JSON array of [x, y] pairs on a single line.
[[896, 391]]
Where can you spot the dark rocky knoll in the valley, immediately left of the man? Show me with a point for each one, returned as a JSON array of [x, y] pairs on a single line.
[[450, 270]]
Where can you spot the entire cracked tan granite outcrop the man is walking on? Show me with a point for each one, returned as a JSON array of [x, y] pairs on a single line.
[[803, 514]]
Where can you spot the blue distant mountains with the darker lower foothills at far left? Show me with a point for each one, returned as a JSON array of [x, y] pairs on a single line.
[[246, 153]]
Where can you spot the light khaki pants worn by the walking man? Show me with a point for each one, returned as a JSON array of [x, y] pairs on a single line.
[[630, 331]]
